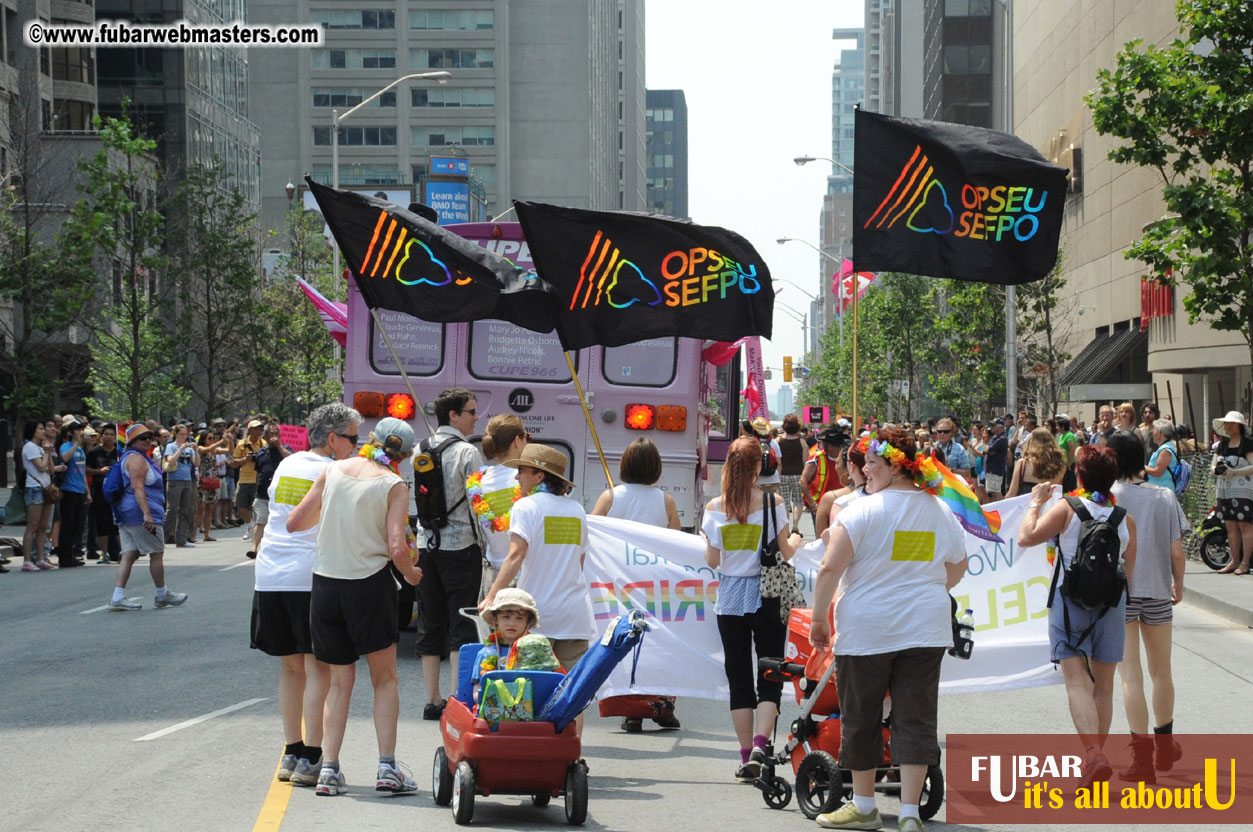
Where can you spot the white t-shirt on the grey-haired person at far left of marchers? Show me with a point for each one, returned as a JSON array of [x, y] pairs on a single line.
[[285, 559]]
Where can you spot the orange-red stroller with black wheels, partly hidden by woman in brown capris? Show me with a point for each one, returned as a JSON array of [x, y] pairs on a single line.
[[814, 742]]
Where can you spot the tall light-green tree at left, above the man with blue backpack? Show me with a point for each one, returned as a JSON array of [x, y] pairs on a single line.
[[136, 358]]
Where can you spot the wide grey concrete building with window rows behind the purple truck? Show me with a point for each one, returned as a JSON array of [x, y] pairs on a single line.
[[547, 100]]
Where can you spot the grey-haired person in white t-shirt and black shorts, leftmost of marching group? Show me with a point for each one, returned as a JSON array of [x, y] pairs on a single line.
[[284, 588]]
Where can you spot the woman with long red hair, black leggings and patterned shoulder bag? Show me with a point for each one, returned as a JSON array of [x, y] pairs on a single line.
[[734, 527]]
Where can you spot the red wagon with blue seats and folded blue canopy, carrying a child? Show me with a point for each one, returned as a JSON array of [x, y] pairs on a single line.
[[541, 759]]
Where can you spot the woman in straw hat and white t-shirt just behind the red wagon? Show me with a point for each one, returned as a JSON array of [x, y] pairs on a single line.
[[547, 549]]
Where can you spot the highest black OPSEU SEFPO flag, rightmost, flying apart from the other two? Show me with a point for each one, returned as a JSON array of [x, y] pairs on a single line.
[[953, 201]]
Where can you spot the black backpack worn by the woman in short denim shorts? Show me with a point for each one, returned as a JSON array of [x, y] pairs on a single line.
[[1096, 580]]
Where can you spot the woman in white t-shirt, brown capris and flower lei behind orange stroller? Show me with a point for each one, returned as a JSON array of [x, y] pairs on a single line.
[[894, 556]]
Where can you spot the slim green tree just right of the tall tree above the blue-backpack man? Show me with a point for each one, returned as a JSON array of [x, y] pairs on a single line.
[[214, 252]]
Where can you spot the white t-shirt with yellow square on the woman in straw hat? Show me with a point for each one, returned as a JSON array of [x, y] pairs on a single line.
[[556, 531]]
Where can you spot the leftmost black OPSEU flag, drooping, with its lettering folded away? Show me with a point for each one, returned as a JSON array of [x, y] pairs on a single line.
[[408, 264]]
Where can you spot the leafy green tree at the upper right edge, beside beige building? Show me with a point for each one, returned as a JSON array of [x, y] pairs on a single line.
[[1185, 111]]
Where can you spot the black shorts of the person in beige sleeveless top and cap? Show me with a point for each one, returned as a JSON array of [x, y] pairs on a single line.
[[353, 618]]
